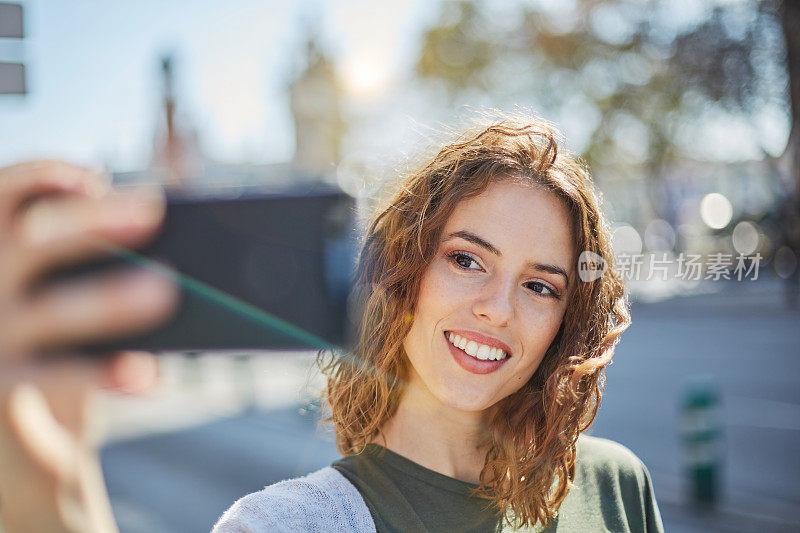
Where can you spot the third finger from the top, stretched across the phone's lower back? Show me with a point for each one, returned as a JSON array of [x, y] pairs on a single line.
[[89, 310]]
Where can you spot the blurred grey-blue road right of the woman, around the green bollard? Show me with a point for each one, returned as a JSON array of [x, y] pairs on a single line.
[[748, 341]]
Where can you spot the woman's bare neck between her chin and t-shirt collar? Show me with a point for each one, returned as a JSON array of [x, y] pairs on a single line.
[[438, 437]]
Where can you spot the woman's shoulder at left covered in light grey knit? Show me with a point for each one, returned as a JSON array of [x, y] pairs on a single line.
[[323, 501]]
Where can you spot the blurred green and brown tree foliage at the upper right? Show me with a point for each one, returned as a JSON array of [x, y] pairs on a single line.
[[639, 74]]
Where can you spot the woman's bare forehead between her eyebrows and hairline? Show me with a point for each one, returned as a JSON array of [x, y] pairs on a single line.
[[518, 217]]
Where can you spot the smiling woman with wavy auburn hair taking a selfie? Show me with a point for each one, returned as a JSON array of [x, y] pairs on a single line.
[[478, 366]]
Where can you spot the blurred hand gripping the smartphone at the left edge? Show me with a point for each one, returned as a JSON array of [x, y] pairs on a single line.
[[53, 214]]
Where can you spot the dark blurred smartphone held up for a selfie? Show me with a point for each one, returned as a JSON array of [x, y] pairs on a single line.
[[256, 270]]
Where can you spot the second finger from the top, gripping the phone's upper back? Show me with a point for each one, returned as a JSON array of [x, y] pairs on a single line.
[[65, 230]]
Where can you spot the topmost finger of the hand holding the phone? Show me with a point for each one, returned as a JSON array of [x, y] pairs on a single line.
[[23, 181]]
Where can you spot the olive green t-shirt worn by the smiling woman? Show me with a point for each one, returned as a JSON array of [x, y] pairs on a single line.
[[612, 491]]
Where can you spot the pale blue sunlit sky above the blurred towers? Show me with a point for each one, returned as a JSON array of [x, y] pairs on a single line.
[[93, 72]]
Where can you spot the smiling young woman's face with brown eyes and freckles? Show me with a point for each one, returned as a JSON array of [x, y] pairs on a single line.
[[494, 282]]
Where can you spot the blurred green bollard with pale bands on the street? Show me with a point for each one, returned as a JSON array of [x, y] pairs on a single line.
[[702, 434]]
